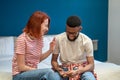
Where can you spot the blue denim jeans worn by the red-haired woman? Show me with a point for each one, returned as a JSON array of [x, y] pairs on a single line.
[[39, 74]]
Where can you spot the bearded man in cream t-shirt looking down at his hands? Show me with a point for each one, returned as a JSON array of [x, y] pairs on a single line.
[[76, 53]]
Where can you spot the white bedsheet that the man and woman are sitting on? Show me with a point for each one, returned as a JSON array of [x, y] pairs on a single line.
[[105, 71]]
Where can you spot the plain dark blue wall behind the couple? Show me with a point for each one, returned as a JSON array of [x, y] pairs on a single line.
[[94, 14]]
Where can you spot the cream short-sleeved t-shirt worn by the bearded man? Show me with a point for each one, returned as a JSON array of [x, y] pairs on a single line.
[[73, 51]]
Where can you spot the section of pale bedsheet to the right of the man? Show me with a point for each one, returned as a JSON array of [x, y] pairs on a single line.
[[107, 71]]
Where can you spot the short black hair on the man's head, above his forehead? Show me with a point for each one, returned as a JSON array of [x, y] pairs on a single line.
[[73, 21]]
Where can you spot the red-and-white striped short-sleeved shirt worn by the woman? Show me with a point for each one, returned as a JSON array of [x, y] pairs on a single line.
[[32, 49]]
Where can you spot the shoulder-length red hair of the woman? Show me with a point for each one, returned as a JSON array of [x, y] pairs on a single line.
[[33, 26]]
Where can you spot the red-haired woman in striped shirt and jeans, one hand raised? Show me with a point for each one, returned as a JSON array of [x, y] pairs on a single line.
[[28, 50]]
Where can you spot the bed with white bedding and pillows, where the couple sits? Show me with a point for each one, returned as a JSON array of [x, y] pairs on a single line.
[[104, 70]]
